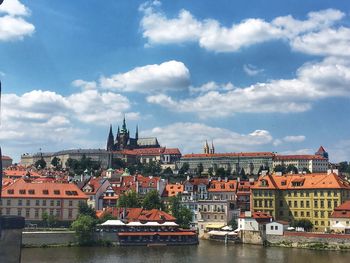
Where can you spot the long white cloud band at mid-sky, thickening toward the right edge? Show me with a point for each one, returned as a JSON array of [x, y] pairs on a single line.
[[314, 81]]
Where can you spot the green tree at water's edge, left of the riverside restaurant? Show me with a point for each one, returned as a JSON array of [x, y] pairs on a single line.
[[84, 226]]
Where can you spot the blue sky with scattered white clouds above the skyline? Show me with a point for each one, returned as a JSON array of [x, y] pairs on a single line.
[[248, 75]]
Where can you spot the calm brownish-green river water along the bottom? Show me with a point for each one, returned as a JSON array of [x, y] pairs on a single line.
[[207, 251]]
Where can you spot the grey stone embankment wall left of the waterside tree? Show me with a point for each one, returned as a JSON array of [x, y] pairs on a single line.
[[48, 238]]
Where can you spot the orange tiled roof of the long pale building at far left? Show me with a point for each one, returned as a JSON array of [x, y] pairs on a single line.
[[30, 189]]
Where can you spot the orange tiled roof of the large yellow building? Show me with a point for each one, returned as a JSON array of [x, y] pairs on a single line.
[[301, 181]]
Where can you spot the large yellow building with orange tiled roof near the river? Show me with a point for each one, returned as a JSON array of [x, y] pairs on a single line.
[[300, 196]]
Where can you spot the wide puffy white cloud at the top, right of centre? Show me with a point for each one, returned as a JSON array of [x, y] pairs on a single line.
[[211, 35]]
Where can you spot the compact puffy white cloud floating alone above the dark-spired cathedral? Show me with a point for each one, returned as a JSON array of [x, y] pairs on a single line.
[[170, 75]]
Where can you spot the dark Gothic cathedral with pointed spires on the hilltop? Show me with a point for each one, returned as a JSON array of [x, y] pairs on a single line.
[[123, 141]]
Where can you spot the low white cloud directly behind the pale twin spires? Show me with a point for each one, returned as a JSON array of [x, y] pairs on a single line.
[[191, 136]]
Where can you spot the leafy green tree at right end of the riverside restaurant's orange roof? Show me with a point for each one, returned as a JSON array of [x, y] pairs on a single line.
[[182, 214]]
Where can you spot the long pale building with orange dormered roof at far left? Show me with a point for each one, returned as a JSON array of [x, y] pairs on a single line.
[[31, 199]]
